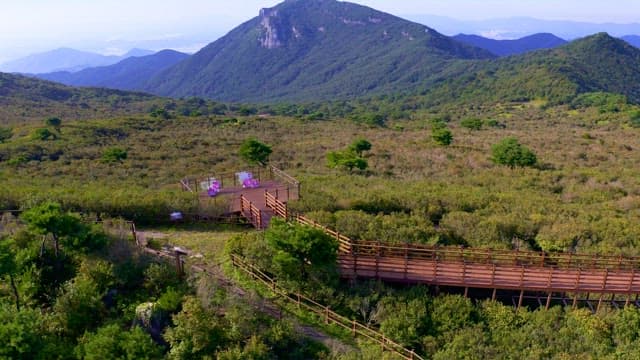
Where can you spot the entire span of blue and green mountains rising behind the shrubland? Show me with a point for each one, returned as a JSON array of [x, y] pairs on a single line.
[[316, 50]]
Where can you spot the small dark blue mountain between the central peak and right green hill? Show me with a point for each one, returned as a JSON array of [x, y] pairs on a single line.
[[513, 47]]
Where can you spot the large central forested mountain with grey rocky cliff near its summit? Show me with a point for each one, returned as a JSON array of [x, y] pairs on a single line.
[[316, 49]]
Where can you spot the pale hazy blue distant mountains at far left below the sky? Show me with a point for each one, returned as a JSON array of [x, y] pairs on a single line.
[[65, 59]]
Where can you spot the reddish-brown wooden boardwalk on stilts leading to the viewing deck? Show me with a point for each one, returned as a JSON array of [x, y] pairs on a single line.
[[523, 271]]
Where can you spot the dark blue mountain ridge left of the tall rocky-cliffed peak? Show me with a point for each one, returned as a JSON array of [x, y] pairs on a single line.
[[129, 74]]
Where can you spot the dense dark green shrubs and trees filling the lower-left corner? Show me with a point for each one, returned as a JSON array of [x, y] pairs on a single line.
[[93, 296]]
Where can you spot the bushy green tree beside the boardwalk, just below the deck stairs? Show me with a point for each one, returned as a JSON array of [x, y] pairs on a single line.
[[301, 254]]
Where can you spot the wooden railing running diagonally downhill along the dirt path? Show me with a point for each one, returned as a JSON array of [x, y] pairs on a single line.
[[330, 317]]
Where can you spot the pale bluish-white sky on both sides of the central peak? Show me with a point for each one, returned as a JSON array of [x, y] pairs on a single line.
[[114, 26]]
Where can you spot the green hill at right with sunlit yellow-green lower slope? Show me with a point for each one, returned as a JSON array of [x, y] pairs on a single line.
[[598, 63]]
